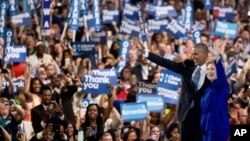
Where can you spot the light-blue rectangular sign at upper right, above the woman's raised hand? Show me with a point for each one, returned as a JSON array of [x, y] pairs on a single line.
[[226, 29]]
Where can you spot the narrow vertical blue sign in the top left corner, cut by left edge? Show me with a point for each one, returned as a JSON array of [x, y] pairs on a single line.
[[2, 17]]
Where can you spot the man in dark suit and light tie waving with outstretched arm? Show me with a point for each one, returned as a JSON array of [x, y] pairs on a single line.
[[193, 84]]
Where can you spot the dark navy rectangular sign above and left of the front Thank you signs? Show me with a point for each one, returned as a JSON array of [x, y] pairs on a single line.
[[84, 48]]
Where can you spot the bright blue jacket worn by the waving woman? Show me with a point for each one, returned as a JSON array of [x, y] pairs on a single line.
[[214, 106]]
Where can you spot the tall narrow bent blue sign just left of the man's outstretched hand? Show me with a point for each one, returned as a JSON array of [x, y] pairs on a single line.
[[123, 52]]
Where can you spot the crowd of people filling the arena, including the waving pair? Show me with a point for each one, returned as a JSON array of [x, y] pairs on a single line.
[[49, 105]]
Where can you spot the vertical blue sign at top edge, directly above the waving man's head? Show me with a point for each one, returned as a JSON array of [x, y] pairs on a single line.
[[188, 17]]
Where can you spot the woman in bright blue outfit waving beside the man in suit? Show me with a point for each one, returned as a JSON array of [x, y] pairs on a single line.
[[214, 106]]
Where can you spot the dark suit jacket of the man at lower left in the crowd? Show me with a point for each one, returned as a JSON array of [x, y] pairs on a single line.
[[37, 114]]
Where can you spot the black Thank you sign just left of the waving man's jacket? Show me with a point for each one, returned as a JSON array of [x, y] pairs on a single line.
[[146, 88]]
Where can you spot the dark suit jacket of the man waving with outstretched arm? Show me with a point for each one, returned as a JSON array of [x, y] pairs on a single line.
[[185, 69]]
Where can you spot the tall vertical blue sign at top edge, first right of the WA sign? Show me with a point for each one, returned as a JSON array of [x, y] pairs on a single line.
[[74, 15]]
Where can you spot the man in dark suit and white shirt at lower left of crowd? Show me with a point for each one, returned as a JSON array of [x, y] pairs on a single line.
[[47, 112]]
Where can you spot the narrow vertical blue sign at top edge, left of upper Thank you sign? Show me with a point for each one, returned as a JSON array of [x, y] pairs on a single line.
[[97, 17]]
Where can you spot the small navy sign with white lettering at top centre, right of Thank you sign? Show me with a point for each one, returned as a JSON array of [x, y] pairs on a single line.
[[130, 12]]
